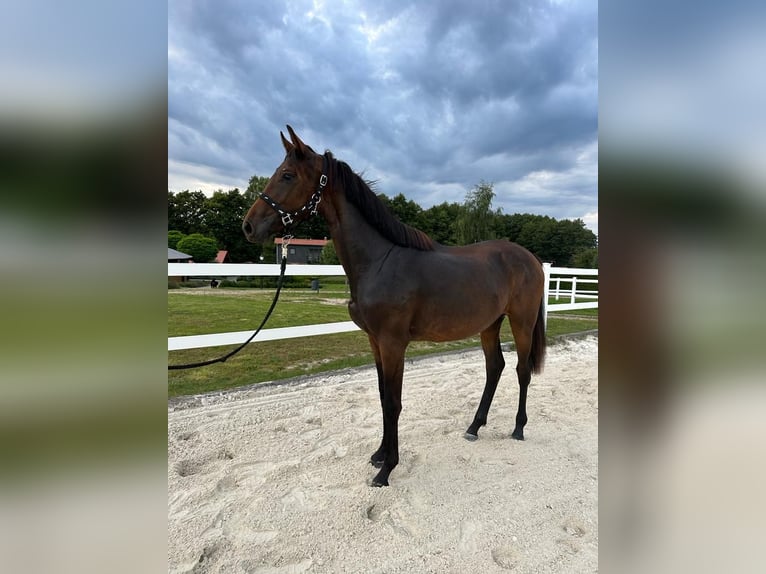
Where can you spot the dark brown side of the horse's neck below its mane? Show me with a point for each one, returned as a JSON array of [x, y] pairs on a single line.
[[357, 243]]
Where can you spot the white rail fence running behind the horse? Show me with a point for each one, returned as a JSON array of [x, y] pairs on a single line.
[[554, 275]]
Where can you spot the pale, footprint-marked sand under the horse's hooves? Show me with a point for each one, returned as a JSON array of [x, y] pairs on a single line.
[[273, 479]]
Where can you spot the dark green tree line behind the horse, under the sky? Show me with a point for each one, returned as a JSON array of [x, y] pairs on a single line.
[[195, 219]]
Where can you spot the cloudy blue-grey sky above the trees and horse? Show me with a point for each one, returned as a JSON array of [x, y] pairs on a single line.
[[427, 98]]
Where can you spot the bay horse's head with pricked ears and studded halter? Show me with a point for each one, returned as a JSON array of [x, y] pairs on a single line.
[[291, 195]]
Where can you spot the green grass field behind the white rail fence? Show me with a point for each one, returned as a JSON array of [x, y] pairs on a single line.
[[202, 311]]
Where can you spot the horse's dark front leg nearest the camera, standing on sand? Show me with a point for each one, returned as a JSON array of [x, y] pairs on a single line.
[[392, 362]]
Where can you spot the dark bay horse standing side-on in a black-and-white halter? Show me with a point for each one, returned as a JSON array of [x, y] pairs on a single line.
[[405, 286]]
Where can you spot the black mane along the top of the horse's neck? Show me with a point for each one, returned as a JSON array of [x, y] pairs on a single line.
[[358, 192]]
